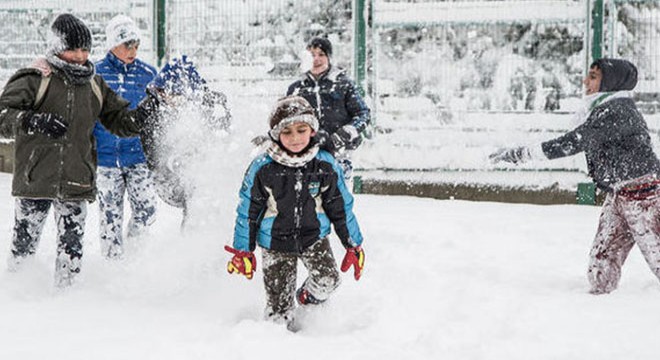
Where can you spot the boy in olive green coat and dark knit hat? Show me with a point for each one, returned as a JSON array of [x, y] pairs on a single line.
[[50, 110]]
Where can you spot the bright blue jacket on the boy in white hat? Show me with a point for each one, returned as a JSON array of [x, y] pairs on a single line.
[[128, 81]]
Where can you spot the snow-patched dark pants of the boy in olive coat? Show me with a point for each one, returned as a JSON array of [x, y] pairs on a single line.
[[30, 217]]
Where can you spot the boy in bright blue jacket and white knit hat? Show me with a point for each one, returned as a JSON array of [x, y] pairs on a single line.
[[122, 164]]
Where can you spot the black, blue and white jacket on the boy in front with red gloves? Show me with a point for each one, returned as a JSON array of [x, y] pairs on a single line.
[[288, 209]]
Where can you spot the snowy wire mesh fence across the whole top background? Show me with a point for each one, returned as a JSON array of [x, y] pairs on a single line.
[[460, 55]]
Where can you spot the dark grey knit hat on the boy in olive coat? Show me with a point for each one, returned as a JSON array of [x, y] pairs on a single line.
[[69, 33]]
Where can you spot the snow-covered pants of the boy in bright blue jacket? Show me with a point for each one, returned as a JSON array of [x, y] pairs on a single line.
[[112, 183]]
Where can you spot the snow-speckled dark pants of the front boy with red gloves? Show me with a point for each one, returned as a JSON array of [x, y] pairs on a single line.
[[280, 270]]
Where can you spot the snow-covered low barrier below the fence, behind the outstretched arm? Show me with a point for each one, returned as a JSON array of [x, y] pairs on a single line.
[[438, 156]]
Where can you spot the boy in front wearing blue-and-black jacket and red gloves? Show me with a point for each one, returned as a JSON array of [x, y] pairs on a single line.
[[289, 197]]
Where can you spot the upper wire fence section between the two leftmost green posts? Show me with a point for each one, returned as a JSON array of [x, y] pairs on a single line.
[[255, 40]]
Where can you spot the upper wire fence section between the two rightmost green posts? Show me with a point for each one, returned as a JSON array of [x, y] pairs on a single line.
[[470, 55]]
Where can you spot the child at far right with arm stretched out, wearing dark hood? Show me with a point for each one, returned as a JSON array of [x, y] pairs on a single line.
[[620, 159]]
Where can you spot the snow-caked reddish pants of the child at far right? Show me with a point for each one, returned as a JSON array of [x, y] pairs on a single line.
[[626, 219]]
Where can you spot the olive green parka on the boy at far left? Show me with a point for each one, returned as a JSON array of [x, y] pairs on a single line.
[[63, 168]]
